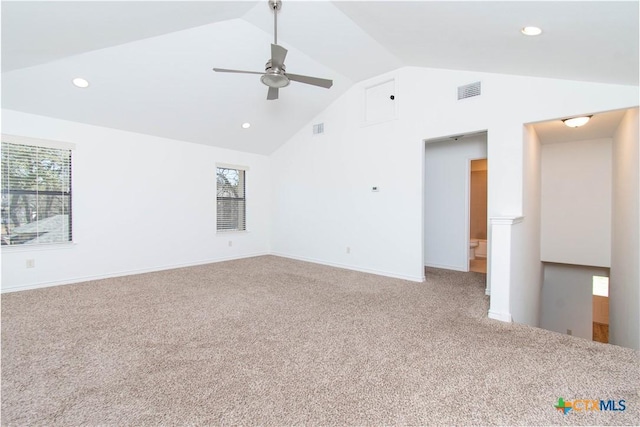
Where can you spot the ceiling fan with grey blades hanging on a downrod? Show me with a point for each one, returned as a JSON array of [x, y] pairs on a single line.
[[274, 74]]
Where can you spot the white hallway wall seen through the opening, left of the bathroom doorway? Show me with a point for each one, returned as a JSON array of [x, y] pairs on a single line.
[[446, 200]]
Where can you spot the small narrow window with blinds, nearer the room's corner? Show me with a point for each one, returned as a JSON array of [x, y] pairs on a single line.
[[231, 202]]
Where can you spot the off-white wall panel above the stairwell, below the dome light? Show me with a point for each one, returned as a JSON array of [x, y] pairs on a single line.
[[576, 202]]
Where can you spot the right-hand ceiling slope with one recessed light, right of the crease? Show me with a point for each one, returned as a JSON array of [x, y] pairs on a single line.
[[582, 40]]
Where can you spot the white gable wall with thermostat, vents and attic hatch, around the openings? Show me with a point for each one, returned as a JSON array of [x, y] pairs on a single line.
[[323, 202]]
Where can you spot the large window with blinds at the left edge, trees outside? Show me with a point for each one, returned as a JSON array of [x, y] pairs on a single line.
[[36, 194]]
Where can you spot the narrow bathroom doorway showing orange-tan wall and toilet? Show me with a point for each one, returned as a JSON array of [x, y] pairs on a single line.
[[478, 172]]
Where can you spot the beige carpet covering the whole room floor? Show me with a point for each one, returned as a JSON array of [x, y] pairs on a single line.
[[272, 341]]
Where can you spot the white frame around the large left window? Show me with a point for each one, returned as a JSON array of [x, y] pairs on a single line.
[[47, 144]]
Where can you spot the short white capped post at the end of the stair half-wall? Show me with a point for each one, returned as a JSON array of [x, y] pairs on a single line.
[[499, 282]]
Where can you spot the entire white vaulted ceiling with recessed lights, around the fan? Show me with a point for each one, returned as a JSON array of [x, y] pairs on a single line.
[[149, 63]]
